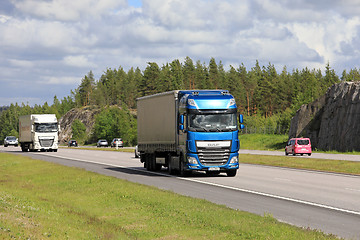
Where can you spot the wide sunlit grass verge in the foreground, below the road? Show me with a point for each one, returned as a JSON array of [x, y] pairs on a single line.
[[41, 200]]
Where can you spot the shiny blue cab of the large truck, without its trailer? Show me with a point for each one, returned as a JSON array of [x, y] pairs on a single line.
[[209, 135]]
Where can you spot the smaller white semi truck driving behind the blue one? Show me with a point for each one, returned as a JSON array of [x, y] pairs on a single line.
[[38, 132]]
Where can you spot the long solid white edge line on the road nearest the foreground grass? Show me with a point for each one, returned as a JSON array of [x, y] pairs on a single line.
[[222, 186]]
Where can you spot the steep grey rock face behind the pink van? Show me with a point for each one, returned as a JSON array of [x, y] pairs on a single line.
[[333, 121]]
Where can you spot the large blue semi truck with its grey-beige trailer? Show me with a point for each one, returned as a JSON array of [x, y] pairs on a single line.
[[189, 130]]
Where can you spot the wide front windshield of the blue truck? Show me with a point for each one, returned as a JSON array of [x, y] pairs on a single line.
[[212, 122]]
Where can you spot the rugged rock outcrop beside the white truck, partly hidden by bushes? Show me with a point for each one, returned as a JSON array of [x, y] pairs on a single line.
[[86, 115]]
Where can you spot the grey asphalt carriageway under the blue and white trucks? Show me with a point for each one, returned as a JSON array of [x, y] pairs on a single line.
[[316, 200]]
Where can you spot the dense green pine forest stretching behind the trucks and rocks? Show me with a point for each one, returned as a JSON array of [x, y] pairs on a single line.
[[264, 96]]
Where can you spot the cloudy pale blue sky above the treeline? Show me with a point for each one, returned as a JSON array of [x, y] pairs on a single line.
[[48, 46]]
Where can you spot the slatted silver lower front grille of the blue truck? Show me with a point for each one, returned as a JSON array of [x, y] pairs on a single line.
[[213, 156]]
